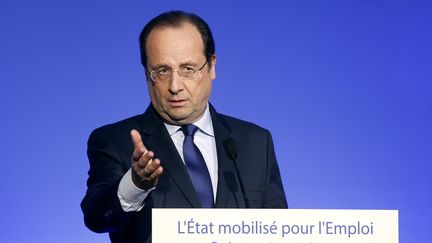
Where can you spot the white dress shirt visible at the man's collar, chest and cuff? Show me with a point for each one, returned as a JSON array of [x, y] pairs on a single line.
[[132, 198]]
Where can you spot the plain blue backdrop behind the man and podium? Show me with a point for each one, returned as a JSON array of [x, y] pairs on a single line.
[[344, 86]]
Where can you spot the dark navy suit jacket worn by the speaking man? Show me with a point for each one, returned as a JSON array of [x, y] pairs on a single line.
[[110, 149]]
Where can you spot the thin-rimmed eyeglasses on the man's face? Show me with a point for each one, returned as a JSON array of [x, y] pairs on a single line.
[[186, 72]]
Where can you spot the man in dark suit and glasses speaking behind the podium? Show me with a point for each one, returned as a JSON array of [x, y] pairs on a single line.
[[173, 155]]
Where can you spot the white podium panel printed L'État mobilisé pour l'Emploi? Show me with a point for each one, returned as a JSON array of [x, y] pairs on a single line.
[[274, 226]]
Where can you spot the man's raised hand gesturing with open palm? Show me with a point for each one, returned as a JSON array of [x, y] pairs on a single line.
[[145, 169]]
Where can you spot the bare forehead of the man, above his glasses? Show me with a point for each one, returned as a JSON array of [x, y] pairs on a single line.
[[174, 44]]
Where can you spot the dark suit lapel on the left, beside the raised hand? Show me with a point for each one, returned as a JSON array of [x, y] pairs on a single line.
[[159, 141]]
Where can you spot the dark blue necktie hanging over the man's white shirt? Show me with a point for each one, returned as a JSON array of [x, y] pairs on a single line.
[[197, 167]]
